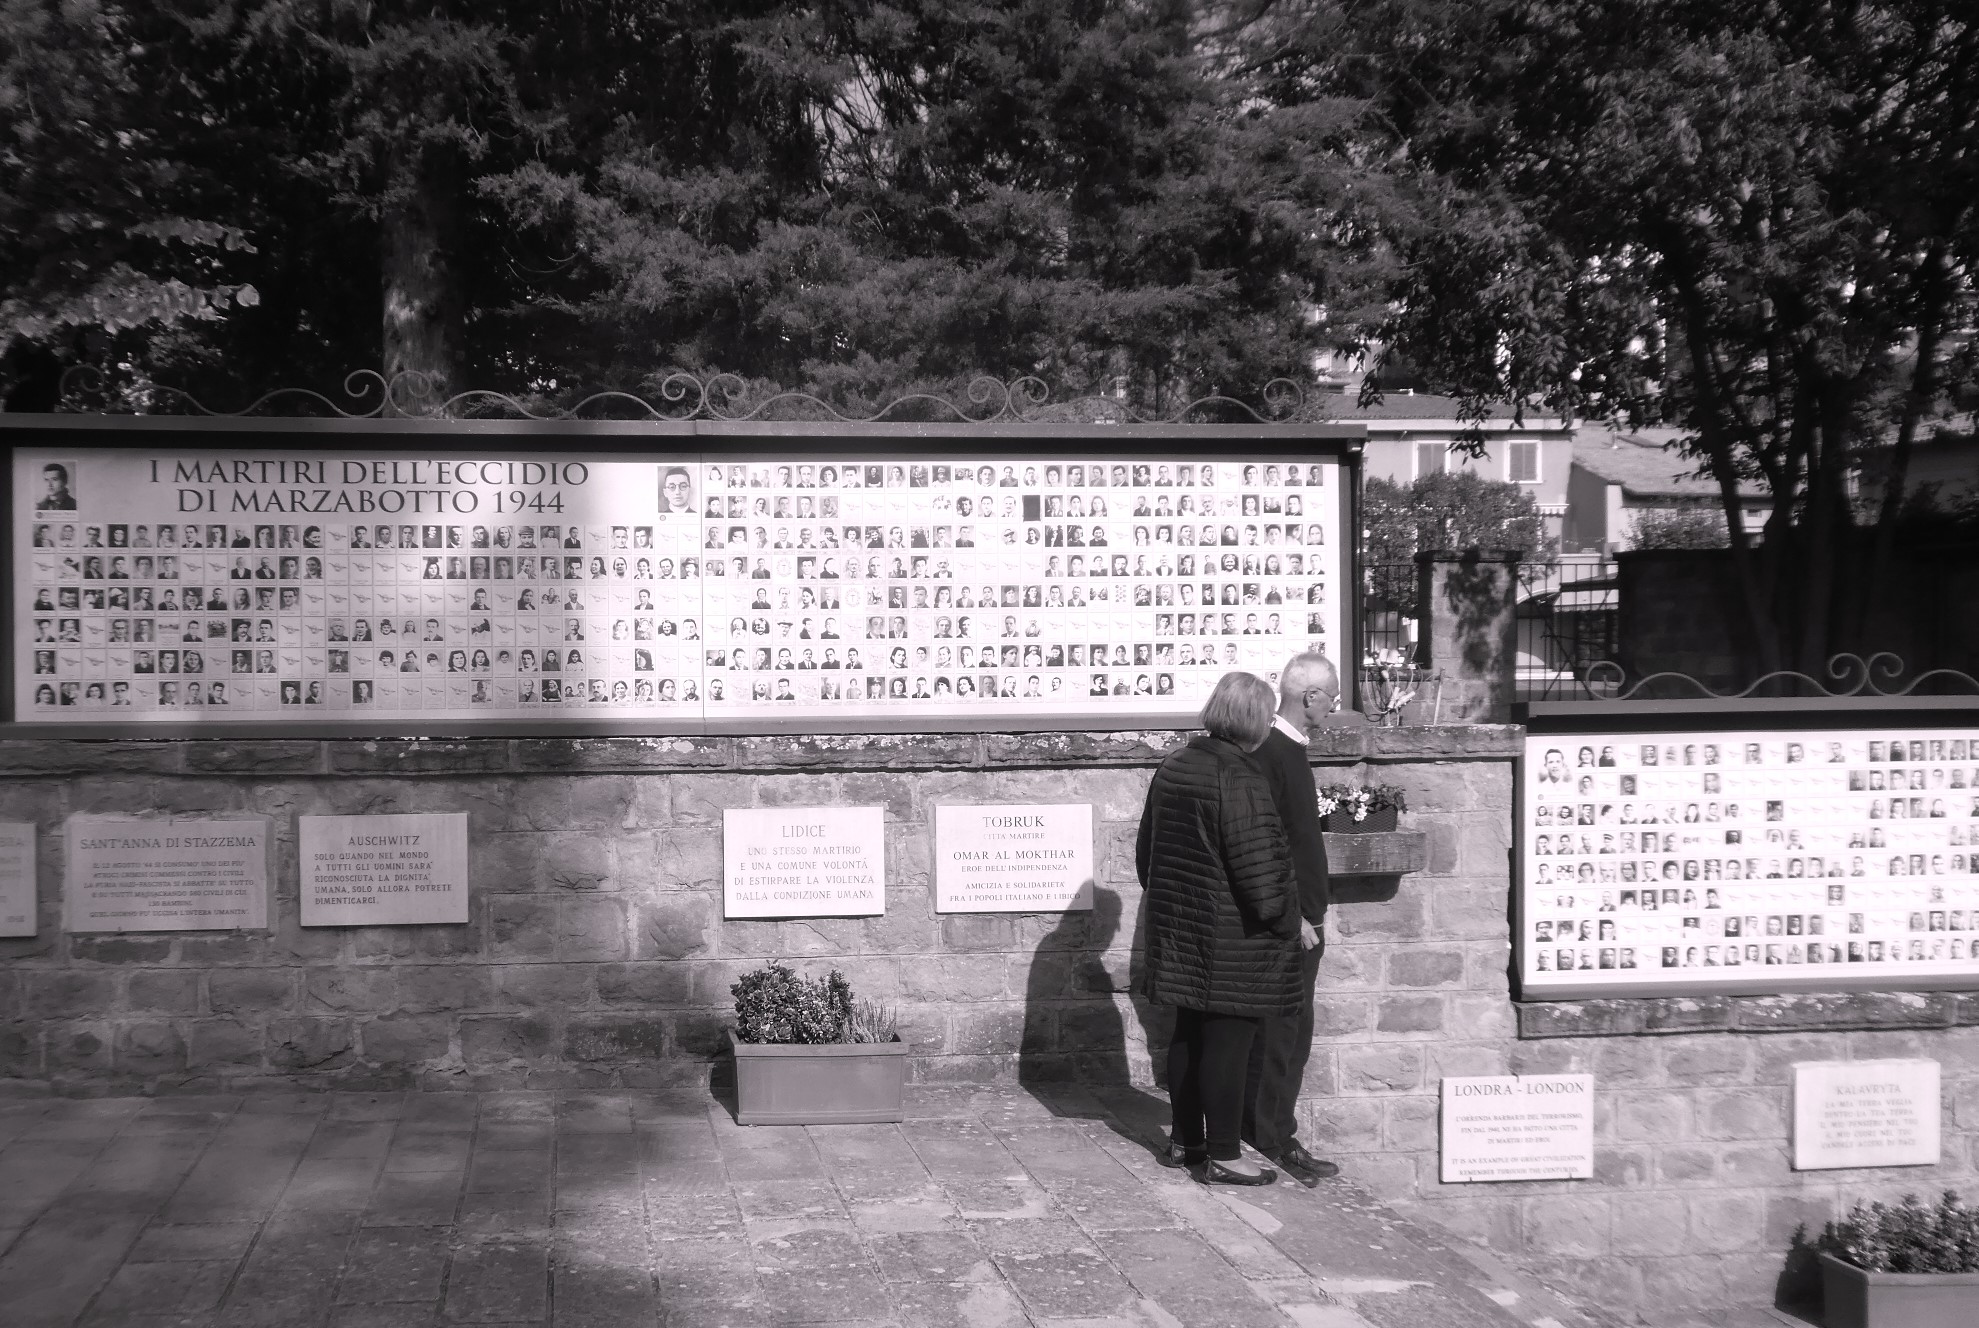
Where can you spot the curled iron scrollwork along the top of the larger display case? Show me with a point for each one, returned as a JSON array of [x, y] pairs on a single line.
[[725, 399]]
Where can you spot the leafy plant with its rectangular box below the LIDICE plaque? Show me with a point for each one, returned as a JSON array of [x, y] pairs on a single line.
[[808, 1054]]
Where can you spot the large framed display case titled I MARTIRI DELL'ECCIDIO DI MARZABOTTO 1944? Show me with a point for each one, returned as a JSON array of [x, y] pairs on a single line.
[[456, 577]]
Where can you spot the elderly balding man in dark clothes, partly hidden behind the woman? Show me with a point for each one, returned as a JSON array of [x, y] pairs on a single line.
[[1309, 692]]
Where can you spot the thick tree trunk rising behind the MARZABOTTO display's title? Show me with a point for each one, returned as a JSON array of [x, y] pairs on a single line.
[[423, 294]]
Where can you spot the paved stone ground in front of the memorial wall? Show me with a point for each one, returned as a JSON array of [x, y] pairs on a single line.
[[985, 1210]]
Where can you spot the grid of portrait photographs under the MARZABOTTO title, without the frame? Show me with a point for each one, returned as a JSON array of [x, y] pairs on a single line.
[[684, 589]]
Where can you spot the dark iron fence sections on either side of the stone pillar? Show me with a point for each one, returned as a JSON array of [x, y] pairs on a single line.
[[1566, 624]]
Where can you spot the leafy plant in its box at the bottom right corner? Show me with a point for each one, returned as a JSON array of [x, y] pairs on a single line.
[[1903, 1266]]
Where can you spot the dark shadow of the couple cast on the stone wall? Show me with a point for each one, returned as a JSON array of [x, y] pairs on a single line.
[[1076, 1056]]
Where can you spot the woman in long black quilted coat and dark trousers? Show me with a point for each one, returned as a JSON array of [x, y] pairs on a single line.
[[1222, 933]]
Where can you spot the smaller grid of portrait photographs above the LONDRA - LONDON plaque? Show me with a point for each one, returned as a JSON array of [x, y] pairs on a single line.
[[1750, 858]]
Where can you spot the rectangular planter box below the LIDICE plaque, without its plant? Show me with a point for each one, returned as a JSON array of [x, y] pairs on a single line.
[[838, 1084]]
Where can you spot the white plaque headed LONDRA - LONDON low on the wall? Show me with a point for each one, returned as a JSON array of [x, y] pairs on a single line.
[[1519, 1127]]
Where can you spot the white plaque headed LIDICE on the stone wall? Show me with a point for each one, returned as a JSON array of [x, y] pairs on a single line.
[[804, 862]]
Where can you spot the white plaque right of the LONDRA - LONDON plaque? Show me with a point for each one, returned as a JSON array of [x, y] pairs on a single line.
[[1865, 1113]]
